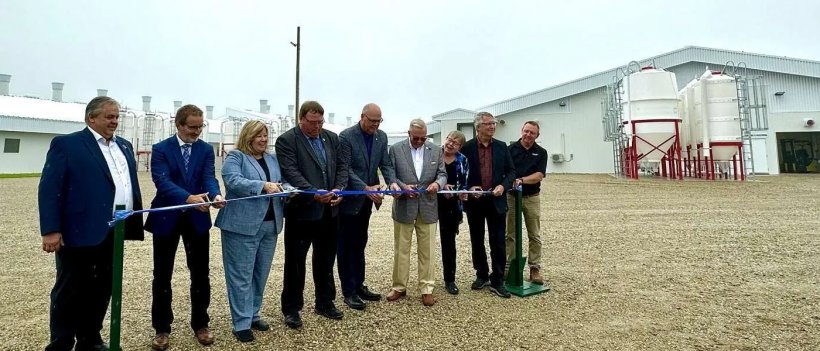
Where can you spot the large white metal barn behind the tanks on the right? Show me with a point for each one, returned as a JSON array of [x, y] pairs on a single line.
[[570, 114]]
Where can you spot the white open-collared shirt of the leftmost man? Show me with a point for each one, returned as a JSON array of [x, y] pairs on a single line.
[[118, 166]]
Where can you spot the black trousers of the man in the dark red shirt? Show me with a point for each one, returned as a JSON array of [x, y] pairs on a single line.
[[480, 211]]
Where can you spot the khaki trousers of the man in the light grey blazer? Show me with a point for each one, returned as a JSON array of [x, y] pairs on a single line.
[[402, 241]]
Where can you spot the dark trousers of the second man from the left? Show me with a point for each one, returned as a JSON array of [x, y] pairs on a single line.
[[197, 250]]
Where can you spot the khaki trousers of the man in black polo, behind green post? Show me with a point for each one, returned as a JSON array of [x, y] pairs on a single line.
[[532, 221]]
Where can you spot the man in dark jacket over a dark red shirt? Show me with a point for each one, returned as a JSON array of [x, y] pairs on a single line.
[[491, 169]]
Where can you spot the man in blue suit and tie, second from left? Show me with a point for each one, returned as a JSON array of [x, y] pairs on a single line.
[[182, 168]]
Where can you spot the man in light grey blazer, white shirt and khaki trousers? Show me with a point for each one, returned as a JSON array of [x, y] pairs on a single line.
[[418, 164]]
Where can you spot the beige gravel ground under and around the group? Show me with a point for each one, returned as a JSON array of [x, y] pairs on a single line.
[[648, 264]]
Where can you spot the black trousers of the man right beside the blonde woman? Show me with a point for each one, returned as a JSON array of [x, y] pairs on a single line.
[[299, 236]]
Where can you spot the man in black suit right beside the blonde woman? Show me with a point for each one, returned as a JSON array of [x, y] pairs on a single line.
[[309, 160]]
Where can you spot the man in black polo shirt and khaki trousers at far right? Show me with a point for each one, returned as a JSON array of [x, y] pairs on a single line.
[[530, 161]]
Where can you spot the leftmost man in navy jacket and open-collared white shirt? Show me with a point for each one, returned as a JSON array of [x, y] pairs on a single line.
[[86, 174]]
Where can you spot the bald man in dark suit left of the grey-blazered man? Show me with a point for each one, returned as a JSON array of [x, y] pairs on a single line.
[[368, 147]]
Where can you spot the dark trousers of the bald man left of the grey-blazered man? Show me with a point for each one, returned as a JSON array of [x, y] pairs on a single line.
[[352, 243]]
